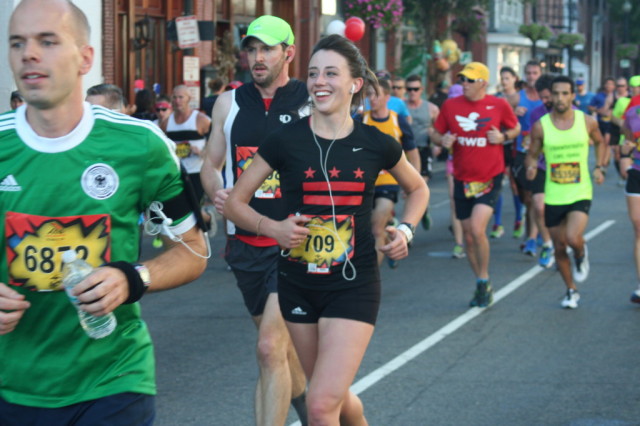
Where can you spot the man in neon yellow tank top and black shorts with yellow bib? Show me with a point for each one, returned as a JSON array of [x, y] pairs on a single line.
[[563, 136]]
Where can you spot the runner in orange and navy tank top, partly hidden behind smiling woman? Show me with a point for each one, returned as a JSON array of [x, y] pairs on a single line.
[[387, 188]]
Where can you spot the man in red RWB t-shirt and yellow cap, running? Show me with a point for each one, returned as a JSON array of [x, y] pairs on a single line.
[[474, 127]]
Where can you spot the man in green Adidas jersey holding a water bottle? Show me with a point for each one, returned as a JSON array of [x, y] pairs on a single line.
[[76, 176]]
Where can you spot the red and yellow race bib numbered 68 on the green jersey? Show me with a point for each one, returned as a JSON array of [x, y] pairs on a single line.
[[36, 244]]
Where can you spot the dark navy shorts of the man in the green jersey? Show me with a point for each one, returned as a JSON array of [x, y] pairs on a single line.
[[123, 409]]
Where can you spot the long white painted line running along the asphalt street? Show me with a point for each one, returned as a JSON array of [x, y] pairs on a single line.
[[375, 376]]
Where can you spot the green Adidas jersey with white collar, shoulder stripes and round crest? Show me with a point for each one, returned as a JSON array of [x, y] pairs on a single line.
[[85, 190]]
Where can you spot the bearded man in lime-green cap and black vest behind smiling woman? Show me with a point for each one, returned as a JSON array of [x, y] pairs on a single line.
[[241, 119]]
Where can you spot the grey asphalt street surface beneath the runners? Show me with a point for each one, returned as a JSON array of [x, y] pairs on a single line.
[[433, 360]]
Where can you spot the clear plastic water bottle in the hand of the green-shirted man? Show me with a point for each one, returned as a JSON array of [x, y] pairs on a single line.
[[74, 270]]
